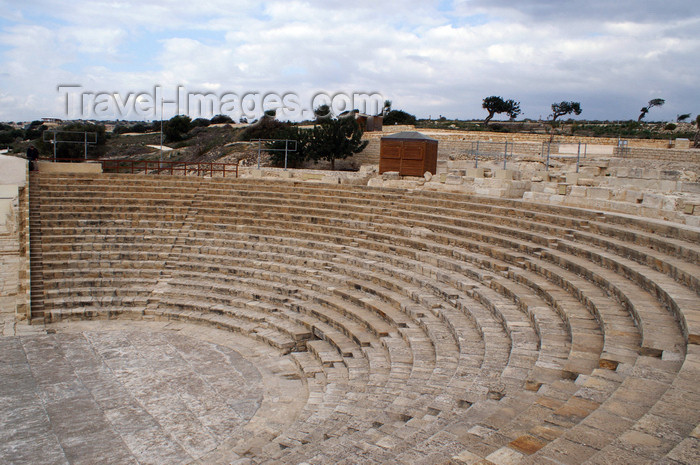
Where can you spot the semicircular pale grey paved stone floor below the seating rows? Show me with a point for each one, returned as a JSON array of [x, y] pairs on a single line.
[[128, 392]]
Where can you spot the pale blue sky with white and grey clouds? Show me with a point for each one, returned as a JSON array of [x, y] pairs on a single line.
[[429, 58]]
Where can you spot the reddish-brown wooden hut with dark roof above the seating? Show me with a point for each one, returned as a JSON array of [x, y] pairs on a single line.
[[410, 153]]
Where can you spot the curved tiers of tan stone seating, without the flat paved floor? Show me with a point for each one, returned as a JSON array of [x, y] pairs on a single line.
[[430, 327]]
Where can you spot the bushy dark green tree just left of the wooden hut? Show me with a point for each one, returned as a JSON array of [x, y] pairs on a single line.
[[335, 139]]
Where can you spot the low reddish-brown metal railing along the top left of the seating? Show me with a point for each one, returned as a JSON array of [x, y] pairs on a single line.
[[182, 168]]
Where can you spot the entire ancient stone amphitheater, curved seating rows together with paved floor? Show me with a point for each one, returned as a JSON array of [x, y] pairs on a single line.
[[245, 321]]
